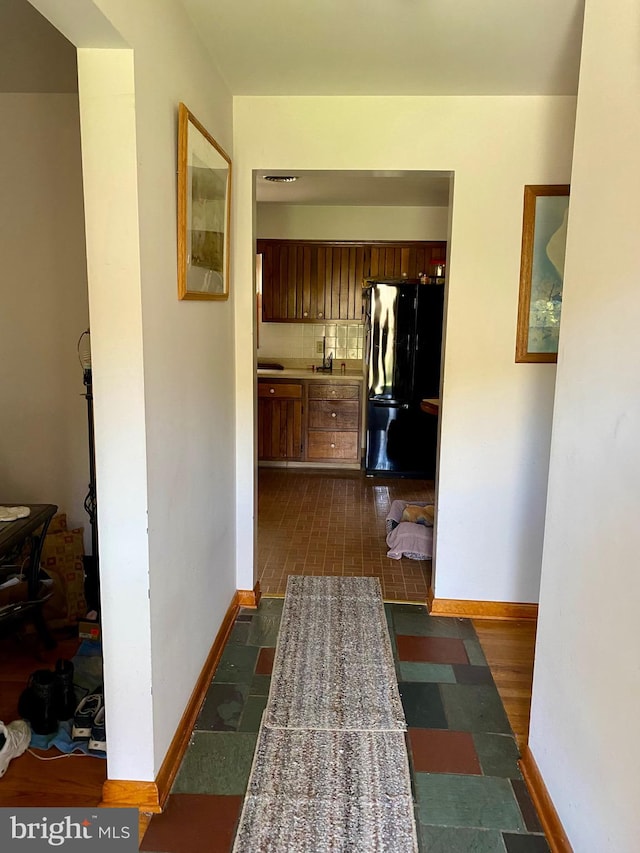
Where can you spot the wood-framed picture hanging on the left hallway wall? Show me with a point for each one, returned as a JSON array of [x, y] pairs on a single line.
[[204, 212]]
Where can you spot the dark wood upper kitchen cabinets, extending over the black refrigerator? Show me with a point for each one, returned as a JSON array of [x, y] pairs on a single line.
[[314, 281]]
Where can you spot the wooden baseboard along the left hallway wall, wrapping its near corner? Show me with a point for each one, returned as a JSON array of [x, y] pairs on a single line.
[[151, 797]]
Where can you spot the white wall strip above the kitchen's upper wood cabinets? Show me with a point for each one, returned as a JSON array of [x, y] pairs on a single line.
[[350, 222]]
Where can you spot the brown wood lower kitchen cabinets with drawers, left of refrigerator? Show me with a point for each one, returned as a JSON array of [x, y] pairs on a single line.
[[309, 421]]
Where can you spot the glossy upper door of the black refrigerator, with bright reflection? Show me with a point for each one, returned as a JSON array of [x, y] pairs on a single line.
[[390, 317]]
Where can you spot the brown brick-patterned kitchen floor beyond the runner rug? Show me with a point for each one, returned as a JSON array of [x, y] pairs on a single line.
[[333, 523]]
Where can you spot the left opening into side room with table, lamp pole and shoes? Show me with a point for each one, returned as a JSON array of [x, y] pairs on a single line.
[[44, 418]]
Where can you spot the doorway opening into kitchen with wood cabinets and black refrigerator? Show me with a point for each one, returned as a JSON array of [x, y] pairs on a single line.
[[319, 238]]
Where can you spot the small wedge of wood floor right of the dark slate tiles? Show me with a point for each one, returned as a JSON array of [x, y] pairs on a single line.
[[509, 648]]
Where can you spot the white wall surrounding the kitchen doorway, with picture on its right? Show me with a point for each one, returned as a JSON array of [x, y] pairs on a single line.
[[496, 414]]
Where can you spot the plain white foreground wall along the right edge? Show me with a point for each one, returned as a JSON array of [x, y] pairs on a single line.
[[586, 691]]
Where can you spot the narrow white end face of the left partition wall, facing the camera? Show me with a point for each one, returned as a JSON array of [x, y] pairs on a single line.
[[107, 103]]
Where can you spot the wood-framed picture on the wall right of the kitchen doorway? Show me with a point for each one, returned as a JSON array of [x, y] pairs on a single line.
[[544, 234]]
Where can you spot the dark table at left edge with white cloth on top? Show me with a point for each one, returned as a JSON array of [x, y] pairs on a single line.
[[13, 536]]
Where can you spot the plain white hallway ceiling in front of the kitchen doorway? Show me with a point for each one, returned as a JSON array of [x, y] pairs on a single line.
[[393, 47]]
